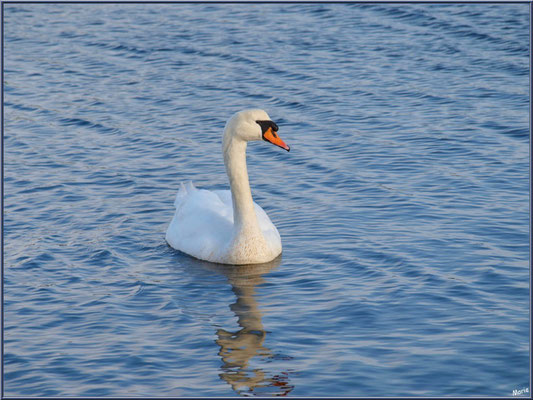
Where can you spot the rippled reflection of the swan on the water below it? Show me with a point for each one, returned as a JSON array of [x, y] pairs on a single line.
[[239, 347]]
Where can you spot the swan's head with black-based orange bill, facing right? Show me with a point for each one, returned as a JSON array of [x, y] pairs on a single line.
[[251, 125]]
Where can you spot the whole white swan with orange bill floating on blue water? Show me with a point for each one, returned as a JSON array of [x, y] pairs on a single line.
[[227, 226]]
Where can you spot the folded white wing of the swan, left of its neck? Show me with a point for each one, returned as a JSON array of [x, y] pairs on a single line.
[[201, 223]]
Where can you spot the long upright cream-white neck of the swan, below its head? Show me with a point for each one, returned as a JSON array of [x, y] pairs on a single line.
[[245, 219]]
